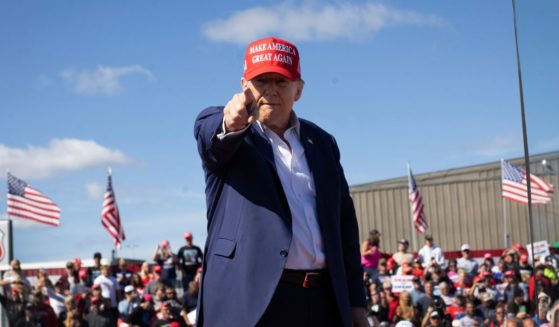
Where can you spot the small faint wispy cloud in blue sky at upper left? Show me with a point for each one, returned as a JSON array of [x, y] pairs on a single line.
[[104, 80]]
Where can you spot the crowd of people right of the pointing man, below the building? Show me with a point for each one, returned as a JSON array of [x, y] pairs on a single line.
[[426, 289]]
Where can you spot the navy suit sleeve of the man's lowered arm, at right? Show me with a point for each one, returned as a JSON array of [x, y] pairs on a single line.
[[350, 241]]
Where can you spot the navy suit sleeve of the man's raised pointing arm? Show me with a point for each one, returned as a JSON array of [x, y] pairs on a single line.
[[214, 151]]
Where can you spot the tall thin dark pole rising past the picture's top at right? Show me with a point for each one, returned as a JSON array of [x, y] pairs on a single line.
[[525, 141]]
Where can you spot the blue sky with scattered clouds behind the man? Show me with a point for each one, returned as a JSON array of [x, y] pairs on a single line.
[[87, 85]]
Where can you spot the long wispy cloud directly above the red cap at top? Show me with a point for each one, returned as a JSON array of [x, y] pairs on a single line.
[[312, 22]]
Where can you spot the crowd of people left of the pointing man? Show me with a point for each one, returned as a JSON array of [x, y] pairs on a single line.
[[105, 294]]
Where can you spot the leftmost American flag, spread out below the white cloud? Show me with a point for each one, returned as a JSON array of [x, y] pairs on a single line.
[[26, 202]]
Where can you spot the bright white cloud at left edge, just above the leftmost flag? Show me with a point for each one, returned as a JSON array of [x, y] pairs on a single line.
[[59, 155]]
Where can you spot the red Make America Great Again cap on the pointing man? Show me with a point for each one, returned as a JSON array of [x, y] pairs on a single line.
[[272, 55]]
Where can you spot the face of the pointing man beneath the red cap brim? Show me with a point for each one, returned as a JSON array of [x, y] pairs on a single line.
[[274, 96]]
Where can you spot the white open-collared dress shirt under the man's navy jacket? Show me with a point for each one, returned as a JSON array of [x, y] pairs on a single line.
[[306, 249]]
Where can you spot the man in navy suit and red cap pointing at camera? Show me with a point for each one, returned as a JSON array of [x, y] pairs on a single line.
[[282, 246]]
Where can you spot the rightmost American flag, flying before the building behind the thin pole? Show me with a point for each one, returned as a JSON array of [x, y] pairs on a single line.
[[515, 188]]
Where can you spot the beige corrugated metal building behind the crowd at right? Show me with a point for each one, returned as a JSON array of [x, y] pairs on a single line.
[[462, 205]]
